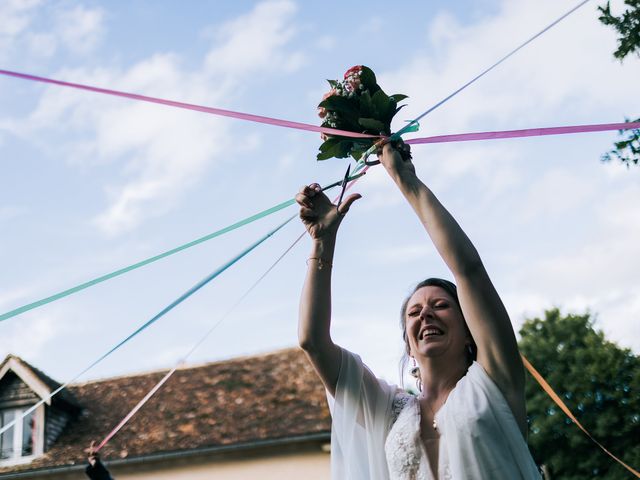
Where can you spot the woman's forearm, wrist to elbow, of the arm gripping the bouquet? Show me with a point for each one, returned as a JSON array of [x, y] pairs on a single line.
[[452, 243]]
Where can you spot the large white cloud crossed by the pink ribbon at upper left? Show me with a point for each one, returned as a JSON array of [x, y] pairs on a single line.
[[163, 152]]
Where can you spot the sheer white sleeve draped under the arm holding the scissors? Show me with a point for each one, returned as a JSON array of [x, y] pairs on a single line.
[[361, 414]]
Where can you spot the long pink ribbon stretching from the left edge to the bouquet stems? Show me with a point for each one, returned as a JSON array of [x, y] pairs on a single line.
[[190, 106]]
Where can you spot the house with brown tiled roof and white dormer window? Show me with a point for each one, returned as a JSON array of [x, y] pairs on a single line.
[[262, 417]]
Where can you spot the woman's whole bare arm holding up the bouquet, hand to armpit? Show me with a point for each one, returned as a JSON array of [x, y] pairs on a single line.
[[483, 310]]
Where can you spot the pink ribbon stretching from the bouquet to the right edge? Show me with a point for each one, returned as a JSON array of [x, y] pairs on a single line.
[[527, 132]]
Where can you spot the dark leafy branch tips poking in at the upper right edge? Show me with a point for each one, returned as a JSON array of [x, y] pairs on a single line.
[[627, 150]]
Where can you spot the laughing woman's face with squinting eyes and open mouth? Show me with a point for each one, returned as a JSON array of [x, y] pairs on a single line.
[[435, 325]]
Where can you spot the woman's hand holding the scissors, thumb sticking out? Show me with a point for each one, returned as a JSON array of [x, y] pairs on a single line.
[[319, 215]]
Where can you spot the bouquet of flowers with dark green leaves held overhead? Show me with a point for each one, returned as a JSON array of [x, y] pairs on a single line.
[[357, 104]]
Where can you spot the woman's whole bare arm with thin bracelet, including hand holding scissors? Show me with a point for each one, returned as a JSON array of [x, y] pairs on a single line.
[[322, 219]]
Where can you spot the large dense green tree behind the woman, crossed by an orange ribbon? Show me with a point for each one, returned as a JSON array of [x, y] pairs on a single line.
[[599, 382]]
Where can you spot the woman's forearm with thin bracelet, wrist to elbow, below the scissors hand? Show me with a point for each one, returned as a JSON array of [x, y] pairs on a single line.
[[315, 302]]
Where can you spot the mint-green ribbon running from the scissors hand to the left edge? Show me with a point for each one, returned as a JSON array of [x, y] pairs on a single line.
[[109, 276]]
